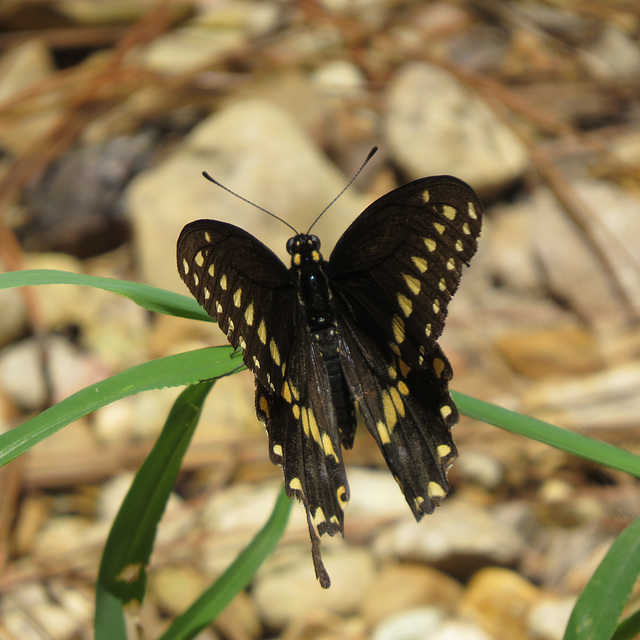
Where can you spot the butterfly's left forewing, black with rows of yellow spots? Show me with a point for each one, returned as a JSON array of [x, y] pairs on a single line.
[[246, 288]]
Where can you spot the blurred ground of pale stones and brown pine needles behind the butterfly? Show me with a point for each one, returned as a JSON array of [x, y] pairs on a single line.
[[110, 111]]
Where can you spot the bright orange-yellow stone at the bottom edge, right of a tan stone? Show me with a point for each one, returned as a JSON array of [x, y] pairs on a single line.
[[500, 600]]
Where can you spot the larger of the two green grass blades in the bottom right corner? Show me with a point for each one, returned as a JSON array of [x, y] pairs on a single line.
[[598, 609]]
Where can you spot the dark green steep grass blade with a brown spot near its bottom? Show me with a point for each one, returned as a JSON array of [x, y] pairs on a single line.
[[126, 554]]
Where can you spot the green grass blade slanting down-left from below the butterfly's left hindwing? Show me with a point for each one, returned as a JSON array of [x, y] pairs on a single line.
[[235, 578]]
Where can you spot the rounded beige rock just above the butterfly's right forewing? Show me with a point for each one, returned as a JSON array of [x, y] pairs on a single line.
[[436, 125]]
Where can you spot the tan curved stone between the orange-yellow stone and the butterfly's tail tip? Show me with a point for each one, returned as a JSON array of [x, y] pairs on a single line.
[[403, 587]]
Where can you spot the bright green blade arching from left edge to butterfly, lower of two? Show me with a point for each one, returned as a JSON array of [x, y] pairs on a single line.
[[173, 371]]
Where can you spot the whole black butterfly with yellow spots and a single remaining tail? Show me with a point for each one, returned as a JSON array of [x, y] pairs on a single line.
[[360, 328]]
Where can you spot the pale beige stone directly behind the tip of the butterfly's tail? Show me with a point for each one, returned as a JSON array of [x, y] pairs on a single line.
[[285, 587]]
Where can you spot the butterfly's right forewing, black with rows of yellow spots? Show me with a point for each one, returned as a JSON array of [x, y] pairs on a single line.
[[401, 260]]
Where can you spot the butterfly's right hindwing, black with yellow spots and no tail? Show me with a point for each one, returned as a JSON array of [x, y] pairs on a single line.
[[409, 413]]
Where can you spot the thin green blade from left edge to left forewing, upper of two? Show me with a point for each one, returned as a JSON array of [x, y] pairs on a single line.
[[146, 296]]
